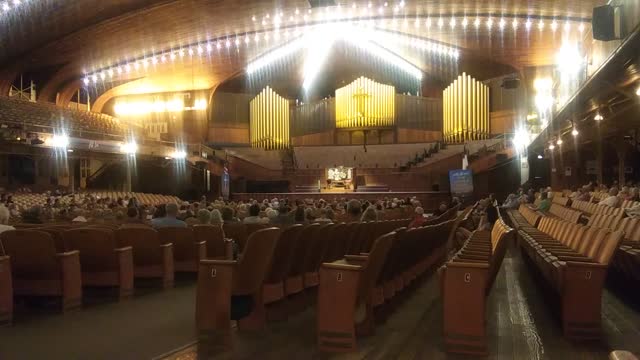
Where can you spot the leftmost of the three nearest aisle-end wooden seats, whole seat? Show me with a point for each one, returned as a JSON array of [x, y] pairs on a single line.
[[229, 290]]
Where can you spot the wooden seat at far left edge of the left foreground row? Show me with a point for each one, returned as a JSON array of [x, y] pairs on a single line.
[[39, 270]]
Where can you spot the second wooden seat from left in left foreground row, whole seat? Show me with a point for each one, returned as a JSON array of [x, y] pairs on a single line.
[[103, 263]]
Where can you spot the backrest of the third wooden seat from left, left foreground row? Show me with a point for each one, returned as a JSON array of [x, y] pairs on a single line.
[[144, 241]]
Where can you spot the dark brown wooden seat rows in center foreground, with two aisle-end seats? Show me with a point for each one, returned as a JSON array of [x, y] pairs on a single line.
[[365, 262]]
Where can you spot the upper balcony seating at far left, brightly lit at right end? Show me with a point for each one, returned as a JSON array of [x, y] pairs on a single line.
[[49, 115]]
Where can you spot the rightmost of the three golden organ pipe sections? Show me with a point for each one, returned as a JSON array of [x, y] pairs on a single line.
[[465, 110]]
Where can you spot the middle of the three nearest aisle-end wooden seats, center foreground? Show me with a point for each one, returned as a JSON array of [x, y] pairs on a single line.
[[344, 296]]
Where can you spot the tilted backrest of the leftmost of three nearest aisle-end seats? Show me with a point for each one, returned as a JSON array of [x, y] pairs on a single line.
[[254, 262]]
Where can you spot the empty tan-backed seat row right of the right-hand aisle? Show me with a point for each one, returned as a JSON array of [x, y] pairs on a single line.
[[572, 261]]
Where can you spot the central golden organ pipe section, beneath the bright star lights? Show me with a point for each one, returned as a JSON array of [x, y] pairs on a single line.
[[365, 103]]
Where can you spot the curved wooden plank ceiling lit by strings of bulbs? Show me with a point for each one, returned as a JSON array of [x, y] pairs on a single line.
[[94, 34]]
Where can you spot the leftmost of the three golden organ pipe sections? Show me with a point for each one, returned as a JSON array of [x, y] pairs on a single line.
[[269, 121]]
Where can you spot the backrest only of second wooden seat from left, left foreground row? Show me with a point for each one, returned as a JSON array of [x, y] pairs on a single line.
[[96, 247]]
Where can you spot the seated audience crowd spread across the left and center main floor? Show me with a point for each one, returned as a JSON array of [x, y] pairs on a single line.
[[86, 207]]
